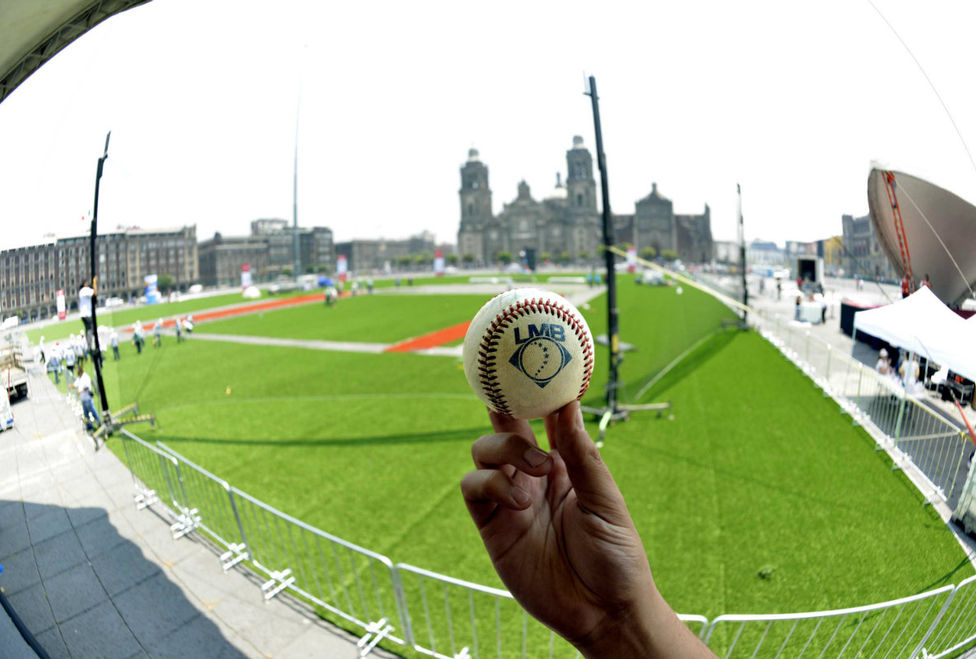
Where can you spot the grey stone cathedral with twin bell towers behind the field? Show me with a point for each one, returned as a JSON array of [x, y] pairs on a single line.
[[567, 220]]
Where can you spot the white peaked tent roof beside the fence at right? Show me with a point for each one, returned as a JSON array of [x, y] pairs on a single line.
[[922, 324]]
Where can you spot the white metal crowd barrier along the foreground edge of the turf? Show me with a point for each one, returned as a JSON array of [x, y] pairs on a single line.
[[440, 616]]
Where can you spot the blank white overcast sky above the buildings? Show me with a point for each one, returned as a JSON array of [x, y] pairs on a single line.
[[794, 100]]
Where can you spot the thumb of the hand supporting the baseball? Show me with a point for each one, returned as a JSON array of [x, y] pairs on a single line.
[[596, 491]]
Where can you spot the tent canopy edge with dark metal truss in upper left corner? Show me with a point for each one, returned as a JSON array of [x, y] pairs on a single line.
[[34, 31]]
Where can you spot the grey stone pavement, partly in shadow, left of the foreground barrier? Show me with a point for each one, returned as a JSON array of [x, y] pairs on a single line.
[[90, 576]]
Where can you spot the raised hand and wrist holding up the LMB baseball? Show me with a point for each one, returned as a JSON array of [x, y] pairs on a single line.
[[560, 537]]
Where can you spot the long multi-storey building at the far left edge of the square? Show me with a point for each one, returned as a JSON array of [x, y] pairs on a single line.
[[31, 276]]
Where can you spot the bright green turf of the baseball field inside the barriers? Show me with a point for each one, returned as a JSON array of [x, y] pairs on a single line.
[[757, 472]]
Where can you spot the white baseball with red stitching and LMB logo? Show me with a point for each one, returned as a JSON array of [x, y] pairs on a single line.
[[527, 353]]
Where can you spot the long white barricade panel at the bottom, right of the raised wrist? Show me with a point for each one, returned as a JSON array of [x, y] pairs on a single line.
[[893, 629]]
